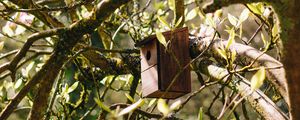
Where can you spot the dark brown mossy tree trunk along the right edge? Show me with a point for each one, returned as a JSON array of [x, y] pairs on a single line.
[[290, 29]]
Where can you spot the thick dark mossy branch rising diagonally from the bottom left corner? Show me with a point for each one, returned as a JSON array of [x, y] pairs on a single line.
[[68, 38]]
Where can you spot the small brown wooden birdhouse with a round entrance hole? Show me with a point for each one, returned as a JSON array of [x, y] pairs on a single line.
[[159, 66]]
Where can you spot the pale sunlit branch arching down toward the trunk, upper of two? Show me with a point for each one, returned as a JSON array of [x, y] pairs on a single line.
[[276, 75]]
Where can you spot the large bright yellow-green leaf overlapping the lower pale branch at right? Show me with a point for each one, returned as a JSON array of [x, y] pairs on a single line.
[[258, 78]]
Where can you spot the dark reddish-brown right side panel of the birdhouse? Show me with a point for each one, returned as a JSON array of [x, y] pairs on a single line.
[[168, 66]]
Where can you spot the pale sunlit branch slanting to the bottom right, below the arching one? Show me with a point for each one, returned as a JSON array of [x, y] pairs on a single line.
[[260, 102]]
